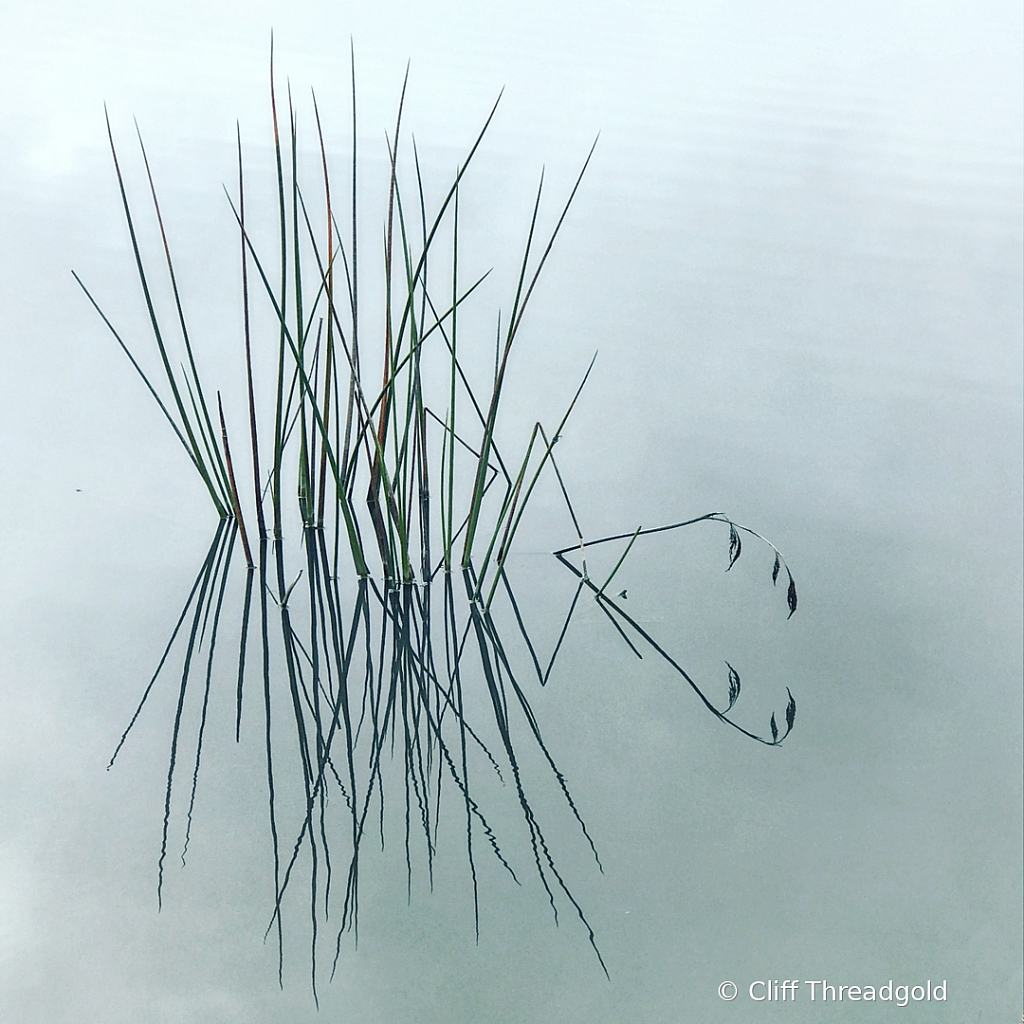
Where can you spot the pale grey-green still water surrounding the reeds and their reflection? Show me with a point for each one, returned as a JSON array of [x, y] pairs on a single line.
[[799, 253]]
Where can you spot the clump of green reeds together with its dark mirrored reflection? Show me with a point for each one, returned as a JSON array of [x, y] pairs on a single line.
[[377, 643]]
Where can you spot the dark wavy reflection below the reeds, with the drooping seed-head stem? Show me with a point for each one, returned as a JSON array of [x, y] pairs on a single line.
[[374, 678]]
